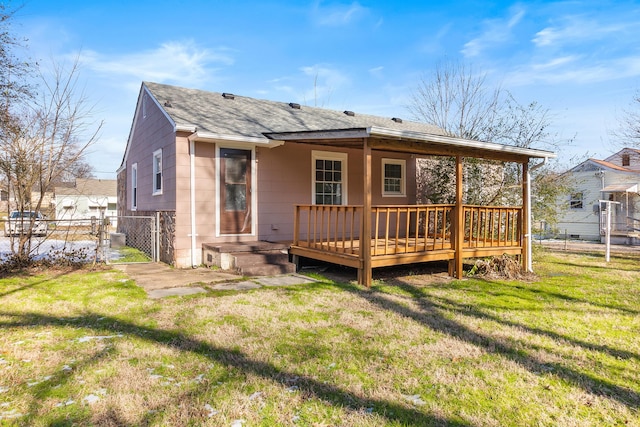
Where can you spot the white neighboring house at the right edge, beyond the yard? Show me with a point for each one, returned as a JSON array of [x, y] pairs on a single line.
[[617, 179]]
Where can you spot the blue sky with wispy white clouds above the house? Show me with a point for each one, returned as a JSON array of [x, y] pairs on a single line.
[[580, 59]]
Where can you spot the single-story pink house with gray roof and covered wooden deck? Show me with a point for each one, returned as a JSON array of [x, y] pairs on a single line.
[[219, 169]]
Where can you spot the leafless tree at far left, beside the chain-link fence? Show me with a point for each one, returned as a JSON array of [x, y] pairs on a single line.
[[49, 138]]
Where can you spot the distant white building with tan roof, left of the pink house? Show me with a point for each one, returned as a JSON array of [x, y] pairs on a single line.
[[86, 199]]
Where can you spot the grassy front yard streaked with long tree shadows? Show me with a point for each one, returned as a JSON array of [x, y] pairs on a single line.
[[88, 348]]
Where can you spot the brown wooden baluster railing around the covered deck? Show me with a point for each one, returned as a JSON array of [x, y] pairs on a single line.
[[404, 229]]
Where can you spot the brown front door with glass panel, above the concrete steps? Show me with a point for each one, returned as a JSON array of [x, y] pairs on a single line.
[[235, 191]]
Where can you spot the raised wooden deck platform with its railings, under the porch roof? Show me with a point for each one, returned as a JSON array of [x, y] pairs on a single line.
[[404, 234]]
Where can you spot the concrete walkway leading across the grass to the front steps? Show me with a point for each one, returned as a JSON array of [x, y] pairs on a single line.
[[160, 280]]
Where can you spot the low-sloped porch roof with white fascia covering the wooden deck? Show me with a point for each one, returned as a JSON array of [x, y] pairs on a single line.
[[382, 138]]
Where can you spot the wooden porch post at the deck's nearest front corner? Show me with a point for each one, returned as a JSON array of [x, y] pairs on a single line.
[[364, 273]]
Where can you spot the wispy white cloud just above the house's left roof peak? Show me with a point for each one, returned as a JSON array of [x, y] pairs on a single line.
[[178, 62]]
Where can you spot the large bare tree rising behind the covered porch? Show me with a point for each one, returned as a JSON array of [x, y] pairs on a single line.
[[458, 99]]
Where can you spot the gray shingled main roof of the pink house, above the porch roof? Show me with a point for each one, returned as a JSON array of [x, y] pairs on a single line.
[[211, 113]]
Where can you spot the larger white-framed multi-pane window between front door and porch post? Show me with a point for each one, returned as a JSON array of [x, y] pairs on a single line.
[[329, 178]]
